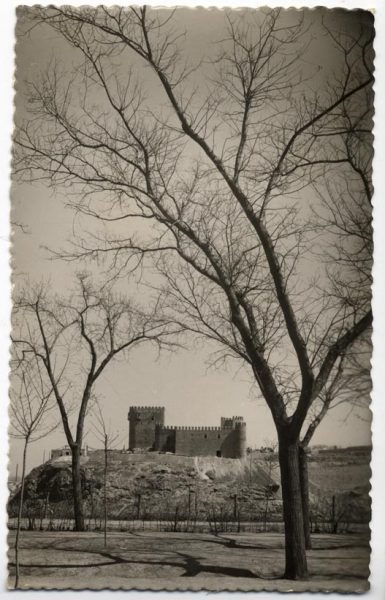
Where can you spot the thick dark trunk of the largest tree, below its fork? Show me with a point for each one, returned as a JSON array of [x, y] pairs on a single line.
[[295, 548]]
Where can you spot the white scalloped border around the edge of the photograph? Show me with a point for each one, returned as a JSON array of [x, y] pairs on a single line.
[[377, 566]]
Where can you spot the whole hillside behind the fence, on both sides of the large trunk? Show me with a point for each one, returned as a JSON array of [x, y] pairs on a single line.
[[154, 486]]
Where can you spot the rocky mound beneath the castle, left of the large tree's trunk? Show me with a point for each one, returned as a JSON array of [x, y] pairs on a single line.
[[151, 485]]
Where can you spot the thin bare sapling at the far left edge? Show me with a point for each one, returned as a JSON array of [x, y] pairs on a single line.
[[30, 419]]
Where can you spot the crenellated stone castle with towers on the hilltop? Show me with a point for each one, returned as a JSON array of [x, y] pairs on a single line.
[[147, 431]]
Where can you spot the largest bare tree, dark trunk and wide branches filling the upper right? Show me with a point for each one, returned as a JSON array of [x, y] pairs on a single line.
[[231, 180]]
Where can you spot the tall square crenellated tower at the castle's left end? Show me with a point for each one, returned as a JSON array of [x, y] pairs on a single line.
[[143, 420]]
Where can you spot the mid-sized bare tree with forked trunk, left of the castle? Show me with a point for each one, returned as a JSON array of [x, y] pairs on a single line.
[[74, 341]]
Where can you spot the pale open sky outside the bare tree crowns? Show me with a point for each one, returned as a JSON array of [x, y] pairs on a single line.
[[191, 393]]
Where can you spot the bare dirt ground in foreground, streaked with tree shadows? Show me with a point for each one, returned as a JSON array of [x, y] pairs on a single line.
[[154, 561]]
